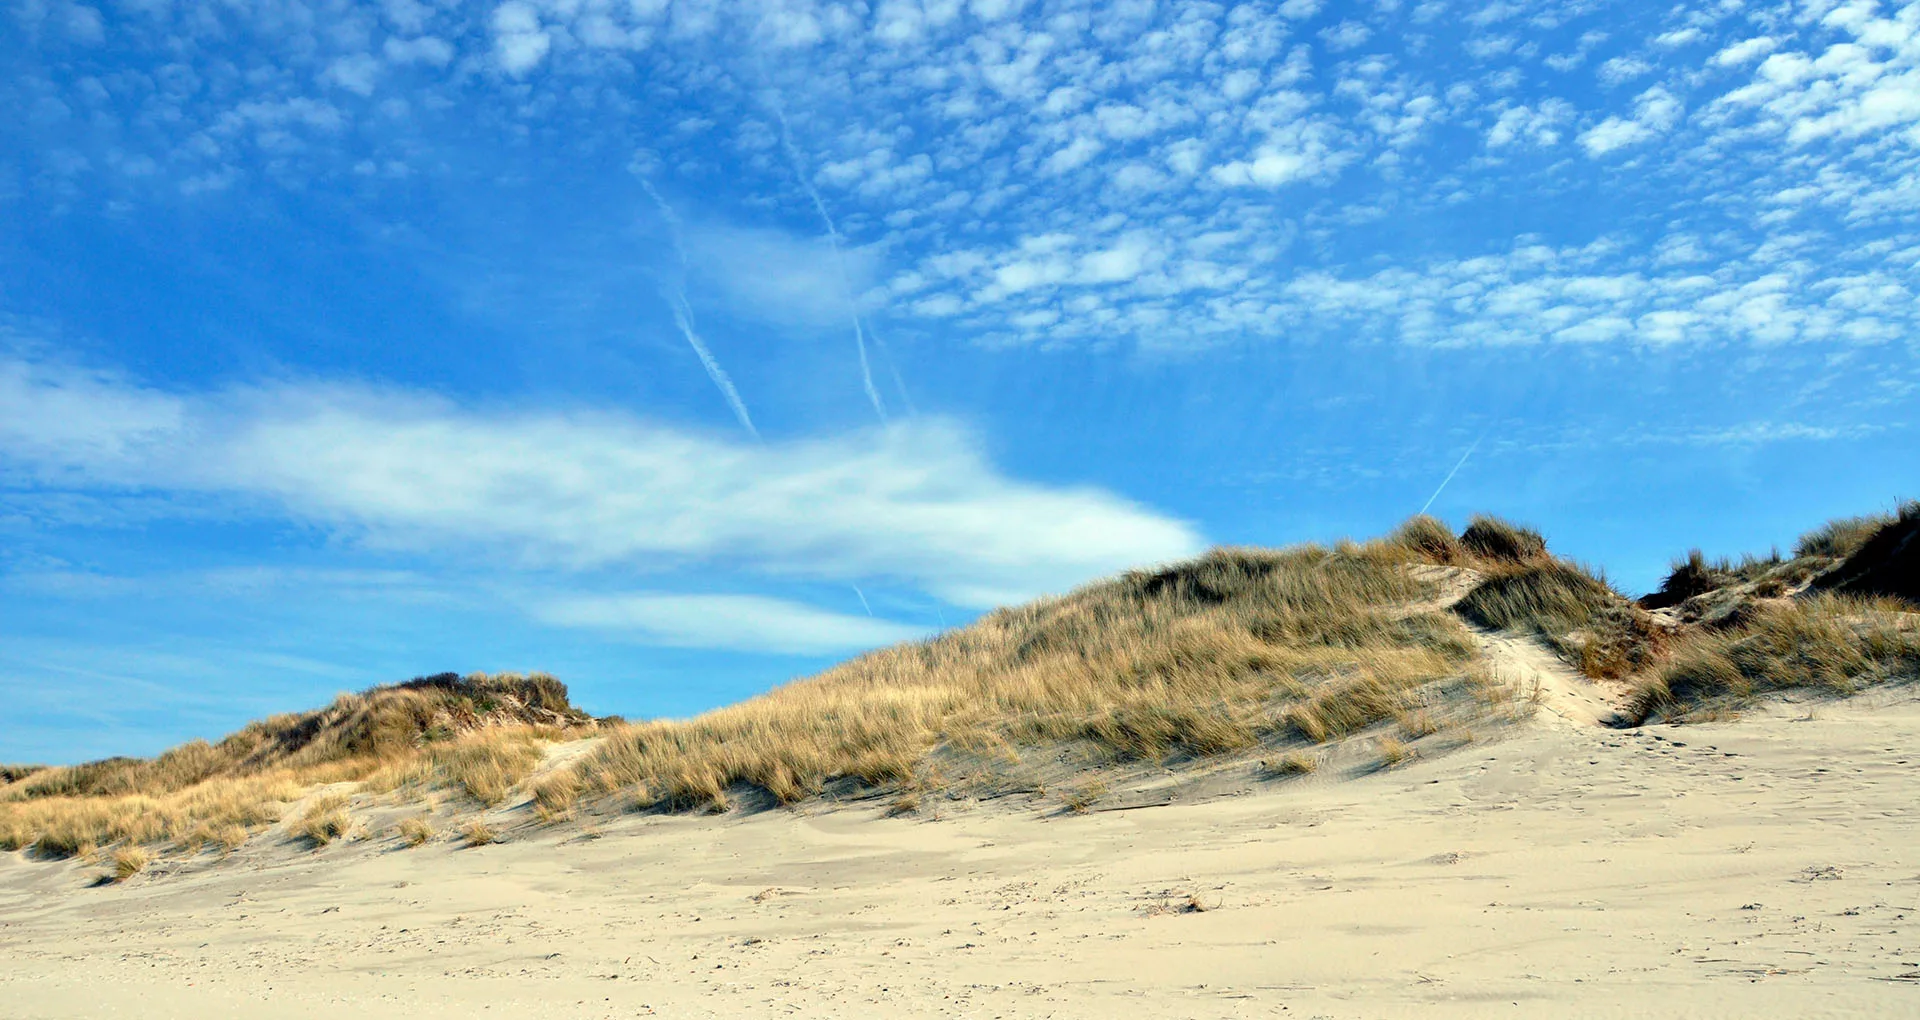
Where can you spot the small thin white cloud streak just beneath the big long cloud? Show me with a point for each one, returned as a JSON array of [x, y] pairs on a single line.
[[740, 623]]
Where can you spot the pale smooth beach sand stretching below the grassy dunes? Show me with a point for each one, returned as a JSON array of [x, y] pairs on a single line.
[[1767, 867]]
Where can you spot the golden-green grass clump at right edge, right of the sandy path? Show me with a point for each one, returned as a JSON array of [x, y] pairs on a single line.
[[1831, 644]]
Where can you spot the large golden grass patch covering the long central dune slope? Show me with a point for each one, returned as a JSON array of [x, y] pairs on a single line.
[[1222, 654]]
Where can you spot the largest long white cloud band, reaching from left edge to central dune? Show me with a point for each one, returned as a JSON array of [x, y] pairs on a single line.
[[915, 504]]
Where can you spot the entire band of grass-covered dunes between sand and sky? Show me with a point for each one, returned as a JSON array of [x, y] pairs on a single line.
[[1270, 654]]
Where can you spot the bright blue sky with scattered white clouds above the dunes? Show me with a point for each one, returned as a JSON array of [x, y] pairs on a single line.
[[686, 347]]
